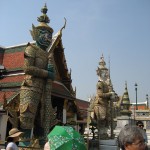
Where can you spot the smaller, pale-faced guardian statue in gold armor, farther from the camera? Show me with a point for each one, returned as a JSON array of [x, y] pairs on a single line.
[[101, 104]]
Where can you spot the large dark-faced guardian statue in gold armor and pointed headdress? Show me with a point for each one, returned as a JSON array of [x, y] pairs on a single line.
[[37, 70]]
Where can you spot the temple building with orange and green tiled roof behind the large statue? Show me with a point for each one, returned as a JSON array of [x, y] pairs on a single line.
[[68, 108]]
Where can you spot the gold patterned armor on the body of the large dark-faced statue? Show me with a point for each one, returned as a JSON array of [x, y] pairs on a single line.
[[35, 68]]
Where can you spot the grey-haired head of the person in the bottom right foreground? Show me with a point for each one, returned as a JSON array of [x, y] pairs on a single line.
[[131, 138]]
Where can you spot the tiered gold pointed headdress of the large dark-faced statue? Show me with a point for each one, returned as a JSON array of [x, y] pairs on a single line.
[[43, 19]]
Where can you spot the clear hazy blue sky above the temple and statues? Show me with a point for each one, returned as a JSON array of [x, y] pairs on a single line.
[[118, 29]]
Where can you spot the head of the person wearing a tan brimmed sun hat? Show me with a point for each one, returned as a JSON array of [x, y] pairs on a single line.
[[14, 135]]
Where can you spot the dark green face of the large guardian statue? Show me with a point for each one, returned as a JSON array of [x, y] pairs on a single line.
[[44, 39]]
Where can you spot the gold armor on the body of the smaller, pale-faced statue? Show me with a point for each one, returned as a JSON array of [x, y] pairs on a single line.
[[101, 103]]
